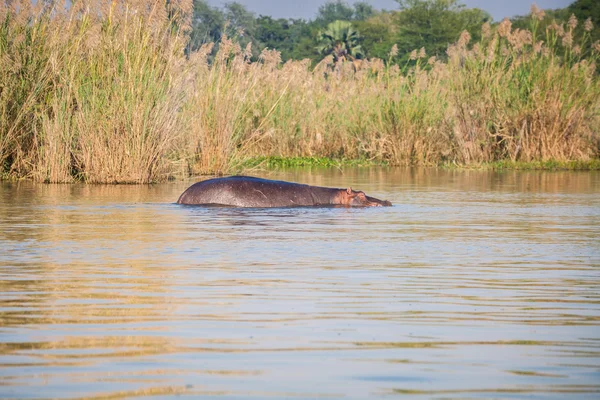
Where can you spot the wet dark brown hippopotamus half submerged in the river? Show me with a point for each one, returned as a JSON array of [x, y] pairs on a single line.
[[246, 191]]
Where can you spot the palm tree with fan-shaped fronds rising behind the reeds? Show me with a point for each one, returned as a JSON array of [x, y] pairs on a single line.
[[340, 39]]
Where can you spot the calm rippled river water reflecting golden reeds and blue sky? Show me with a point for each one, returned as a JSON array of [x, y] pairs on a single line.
[[473, 285]]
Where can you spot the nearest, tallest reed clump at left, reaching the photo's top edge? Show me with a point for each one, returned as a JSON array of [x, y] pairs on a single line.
[[90, 91]]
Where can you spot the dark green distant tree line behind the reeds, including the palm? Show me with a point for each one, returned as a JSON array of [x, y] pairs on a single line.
[[361, 31]]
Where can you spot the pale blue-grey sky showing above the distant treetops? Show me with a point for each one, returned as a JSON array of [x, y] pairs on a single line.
[[308, 8]]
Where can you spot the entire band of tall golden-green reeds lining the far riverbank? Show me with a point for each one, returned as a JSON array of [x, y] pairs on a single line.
[[103, 92]]
